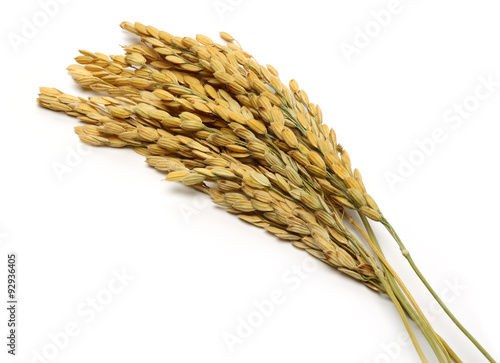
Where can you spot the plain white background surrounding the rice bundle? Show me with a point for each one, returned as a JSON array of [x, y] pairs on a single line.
[[197, 269]]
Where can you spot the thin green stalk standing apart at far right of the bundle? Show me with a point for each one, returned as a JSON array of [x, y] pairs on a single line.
[[407, 255]]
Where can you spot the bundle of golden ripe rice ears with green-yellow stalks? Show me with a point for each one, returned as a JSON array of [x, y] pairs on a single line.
[[213, 118]]
